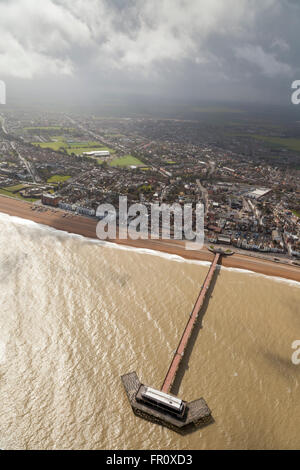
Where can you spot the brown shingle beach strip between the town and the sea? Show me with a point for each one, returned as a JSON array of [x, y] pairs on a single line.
[[86, 227]]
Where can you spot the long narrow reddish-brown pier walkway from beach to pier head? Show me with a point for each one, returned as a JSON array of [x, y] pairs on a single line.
[[178, 355]]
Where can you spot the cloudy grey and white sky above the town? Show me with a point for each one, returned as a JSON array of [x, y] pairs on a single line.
[[219, 50]]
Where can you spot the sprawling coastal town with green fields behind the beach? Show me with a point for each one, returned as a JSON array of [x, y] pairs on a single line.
[[249, 184]]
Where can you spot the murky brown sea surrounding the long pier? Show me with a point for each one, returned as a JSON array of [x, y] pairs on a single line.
[[76, 314]]
